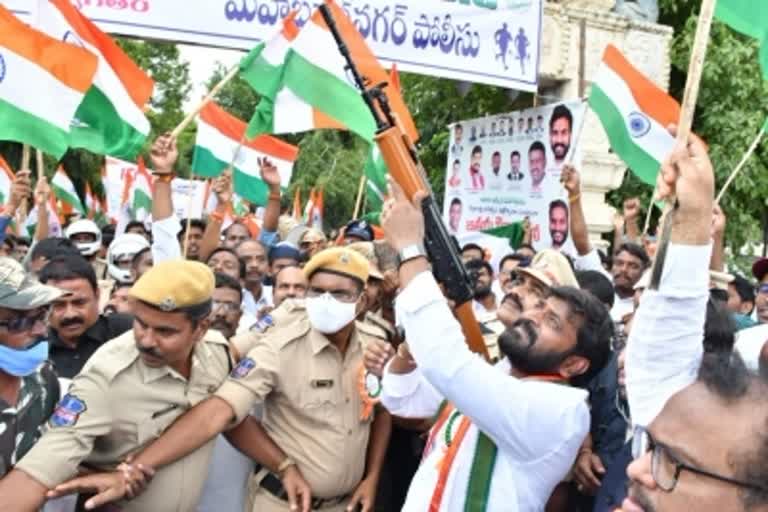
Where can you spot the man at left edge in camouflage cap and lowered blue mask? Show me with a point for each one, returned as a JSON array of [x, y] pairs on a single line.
[[29, 389]]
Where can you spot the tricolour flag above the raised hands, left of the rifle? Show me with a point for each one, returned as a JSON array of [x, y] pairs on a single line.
[[221, 142]]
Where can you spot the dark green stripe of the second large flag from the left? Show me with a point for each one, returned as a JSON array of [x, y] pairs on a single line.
[[105, 133]]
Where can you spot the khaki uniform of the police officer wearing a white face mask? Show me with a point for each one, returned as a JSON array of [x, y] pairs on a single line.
[[313, 403]]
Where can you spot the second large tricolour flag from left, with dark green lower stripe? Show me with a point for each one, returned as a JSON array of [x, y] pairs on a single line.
[[111, 120]]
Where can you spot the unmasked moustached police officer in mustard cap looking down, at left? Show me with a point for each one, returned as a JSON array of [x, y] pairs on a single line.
[[130, 391]]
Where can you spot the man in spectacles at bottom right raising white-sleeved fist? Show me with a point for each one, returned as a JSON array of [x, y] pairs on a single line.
[[700, 439]]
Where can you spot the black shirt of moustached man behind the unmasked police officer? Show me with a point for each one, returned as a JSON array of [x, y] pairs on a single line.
[[69, 361]]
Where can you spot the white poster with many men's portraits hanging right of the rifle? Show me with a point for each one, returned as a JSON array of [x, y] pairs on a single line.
[[504, 168]]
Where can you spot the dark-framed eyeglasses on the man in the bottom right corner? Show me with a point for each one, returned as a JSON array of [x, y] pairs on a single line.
[[666, 468]]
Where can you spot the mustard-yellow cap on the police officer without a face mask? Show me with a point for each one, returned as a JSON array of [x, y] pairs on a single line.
[[174, 284]]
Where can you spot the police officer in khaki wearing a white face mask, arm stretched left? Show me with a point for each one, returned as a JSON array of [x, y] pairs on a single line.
[[324, 440]]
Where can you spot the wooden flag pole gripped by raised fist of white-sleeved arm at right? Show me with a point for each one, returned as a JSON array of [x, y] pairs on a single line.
[[688, 109]]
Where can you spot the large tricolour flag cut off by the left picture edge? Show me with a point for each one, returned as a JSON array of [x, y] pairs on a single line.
[[42, 83]]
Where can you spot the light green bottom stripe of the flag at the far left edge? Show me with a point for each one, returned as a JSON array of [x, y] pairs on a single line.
[[21, 126]]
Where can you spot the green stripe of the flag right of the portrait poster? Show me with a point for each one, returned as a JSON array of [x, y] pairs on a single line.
[[643, 165]]
